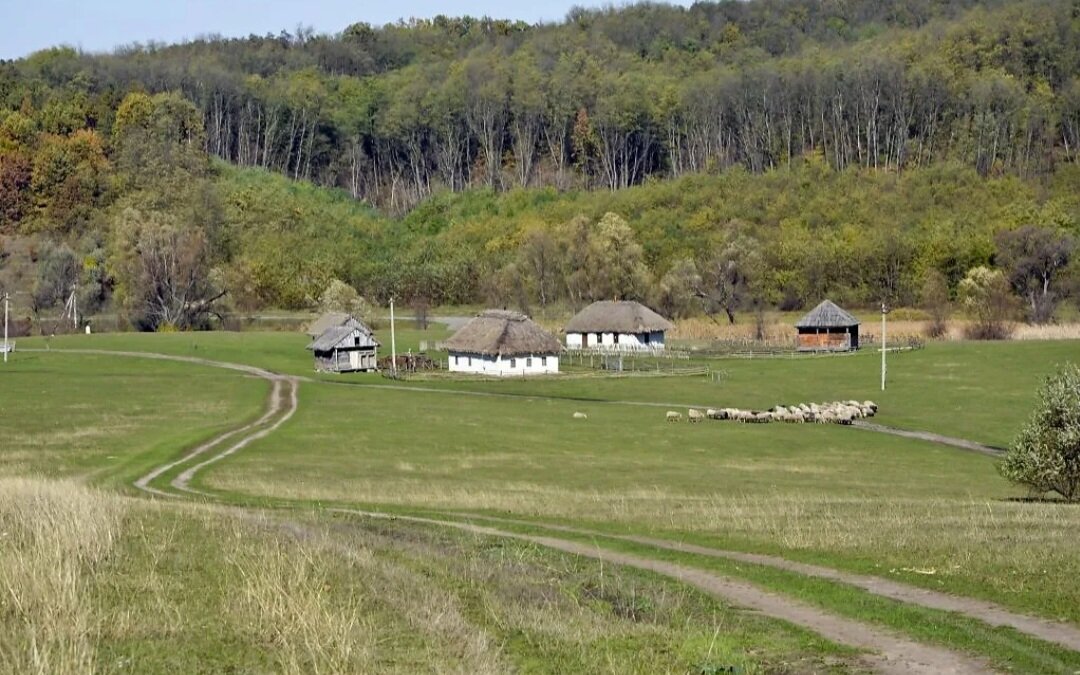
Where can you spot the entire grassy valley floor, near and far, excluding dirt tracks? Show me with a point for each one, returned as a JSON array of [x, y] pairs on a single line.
[[267, 583]]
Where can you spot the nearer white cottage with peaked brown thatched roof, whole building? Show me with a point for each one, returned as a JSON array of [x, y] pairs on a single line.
[[503, 343]]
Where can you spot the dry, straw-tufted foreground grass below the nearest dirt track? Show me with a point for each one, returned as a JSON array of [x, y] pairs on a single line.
[[99, 583]]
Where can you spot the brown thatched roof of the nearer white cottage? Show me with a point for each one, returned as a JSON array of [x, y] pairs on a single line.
[[499, 333]]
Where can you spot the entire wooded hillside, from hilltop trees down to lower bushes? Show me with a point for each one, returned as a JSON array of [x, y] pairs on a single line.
[[719, 158]]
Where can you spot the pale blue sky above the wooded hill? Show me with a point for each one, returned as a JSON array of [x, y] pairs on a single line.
[[102, 25]]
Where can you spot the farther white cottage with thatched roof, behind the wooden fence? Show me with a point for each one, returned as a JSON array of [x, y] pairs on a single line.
[[622, 326]]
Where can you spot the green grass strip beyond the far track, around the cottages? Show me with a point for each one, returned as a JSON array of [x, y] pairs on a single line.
[[981, 391]]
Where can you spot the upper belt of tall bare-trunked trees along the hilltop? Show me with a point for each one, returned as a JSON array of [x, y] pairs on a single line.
[[610, 98]]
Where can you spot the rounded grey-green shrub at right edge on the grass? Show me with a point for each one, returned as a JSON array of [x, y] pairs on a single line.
[[1046, 456]]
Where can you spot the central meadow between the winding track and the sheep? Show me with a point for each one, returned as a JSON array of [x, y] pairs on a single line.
[[927, 515]]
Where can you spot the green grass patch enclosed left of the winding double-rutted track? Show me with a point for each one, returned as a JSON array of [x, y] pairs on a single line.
[[107, 418]]
